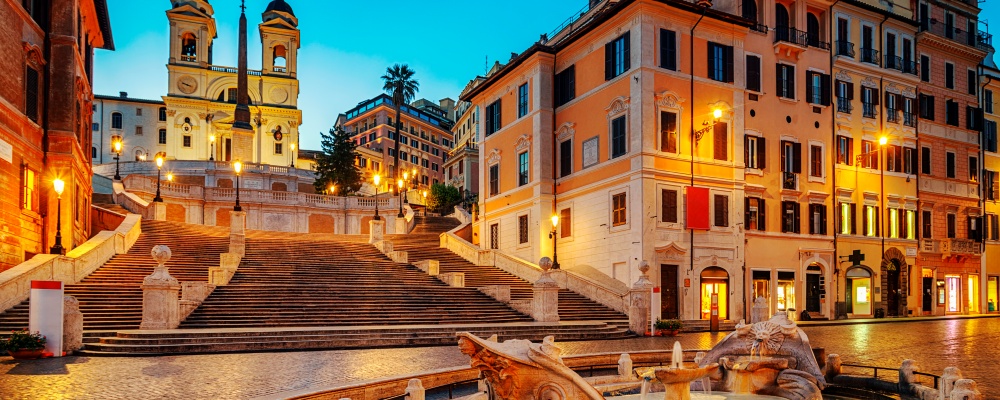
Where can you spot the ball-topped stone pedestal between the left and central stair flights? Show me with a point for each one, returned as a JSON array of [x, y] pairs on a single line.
[[159, 295]]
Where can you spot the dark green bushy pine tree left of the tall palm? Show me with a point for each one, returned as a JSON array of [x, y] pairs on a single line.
[[336, 164]]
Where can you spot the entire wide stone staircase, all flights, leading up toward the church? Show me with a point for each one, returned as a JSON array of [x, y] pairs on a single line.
[[301, 291]]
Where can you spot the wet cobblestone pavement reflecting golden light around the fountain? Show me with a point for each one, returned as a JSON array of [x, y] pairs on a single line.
[[969, 344]]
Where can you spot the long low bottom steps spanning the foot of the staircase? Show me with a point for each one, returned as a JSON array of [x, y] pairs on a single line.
[[197, 341]]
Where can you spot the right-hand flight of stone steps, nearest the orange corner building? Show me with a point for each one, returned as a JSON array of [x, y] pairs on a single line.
[[426, 246]]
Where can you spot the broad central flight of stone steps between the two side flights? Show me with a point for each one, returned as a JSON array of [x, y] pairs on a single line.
[[301, 281]]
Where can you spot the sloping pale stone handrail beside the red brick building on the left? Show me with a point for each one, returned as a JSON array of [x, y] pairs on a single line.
[[15, 283]]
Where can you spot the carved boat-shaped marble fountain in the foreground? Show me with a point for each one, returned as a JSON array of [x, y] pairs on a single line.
[[768, 359]]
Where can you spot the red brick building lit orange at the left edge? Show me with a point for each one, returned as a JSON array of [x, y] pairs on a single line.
[[45, 121]]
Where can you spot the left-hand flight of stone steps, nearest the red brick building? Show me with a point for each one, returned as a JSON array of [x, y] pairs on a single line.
[[111, 298]]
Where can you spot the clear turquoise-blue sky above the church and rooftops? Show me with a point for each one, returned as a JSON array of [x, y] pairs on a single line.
[[346, 46]]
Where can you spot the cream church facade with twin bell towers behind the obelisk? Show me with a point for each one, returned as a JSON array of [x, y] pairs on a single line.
[[201, 96]]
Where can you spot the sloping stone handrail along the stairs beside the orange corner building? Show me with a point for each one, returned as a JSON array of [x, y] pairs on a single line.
[[530, 272]]
